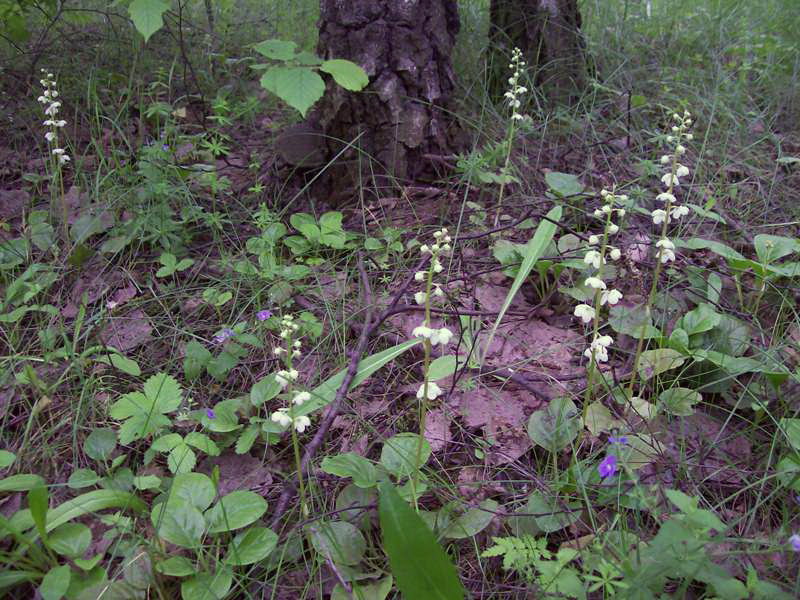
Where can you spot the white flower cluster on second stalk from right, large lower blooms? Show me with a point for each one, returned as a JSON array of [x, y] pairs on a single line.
[[598, 252]]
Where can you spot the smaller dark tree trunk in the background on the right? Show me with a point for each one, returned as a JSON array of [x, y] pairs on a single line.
[[548, 33]]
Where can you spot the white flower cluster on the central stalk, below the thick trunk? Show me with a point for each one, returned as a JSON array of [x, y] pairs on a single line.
[[433, 336]]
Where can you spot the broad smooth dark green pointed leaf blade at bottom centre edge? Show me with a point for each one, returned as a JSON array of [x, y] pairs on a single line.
[[419, 564]]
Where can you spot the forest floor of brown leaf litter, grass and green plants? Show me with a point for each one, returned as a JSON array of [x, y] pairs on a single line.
[[189, 241]]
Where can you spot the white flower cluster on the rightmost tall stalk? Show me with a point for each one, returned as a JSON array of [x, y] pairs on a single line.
[[665, 249]]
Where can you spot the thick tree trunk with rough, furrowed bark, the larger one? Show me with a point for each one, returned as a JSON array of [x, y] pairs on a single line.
[[405, 46]]
